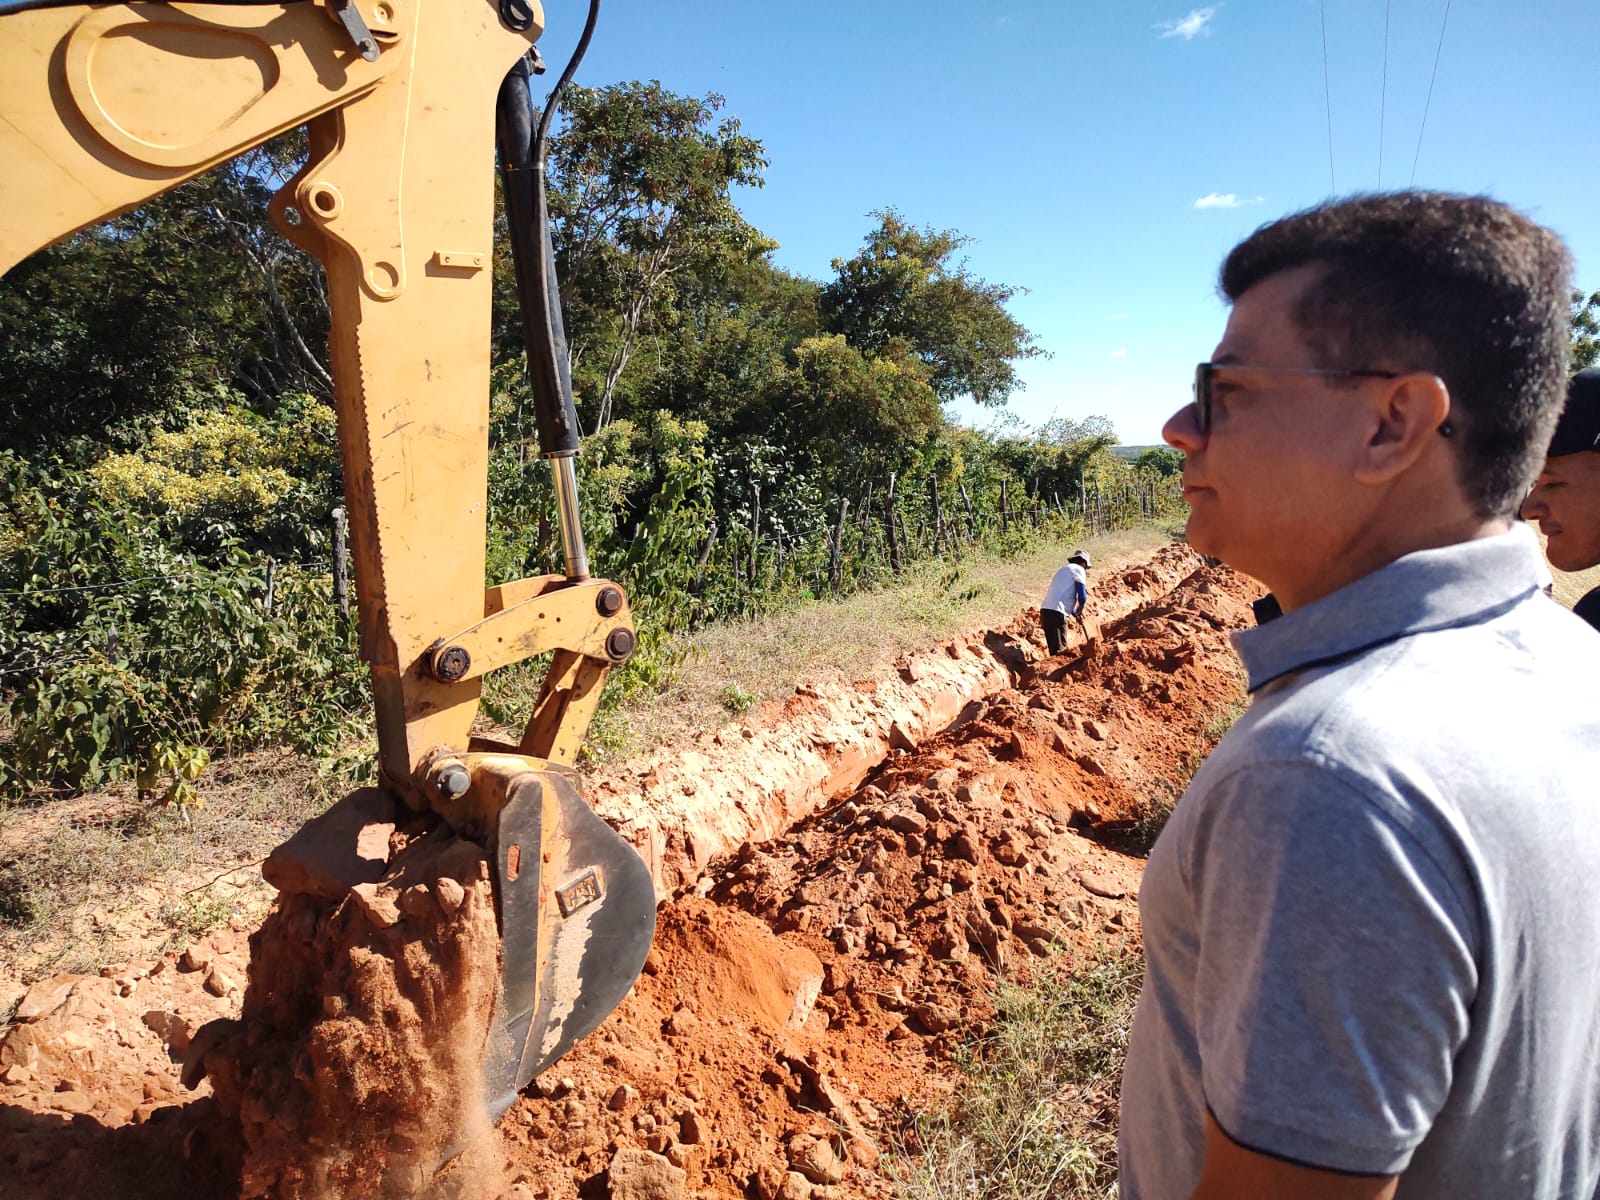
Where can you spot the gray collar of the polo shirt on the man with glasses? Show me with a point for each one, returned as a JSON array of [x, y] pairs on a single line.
[[1430, 590]]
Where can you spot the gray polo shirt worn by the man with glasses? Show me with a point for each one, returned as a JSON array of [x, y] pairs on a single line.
[[1374, 922]]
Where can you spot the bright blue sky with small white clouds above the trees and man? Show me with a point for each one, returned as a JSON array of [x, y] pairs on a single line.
[[1105, 154]]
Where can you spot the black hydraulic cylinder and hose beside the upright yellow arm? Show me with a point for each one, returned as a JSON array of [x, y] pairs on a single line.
[[534, 255]]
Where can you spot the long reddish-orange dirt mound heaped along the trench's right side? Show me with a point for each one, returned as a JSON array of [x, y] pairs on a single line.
[[977, 854]]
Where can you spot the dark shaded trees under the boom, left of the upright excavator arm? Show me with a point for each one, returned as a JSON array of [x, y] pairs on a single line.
[[185, 305]]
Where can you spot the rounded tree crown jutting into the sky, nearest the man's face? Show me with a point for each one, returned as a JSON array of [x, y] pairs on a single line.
[[905, 290]]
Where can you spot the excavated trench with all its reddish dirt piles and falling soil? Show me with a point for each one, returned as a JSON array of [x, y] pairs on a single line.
[[839, 886]]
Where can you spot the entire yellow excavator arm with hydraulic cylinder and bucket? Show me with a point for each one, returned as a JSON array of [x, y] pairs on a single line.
[[406, 103]]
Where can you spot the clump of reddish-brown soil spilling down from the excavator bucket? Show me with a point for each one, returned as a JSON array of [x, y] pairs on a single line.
[[356, 1066]]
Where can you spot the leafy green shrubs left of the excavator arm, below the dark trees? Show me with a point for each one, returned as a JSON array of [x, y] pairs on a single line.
[[122, 657]]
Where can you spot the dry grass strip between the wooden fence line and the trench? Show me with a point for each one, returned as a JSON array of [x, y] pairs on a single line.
[[730, 668]]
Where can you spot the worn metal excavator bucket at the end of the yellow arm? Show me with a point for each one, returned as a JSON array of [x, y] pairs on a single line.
[[578, 911]]
